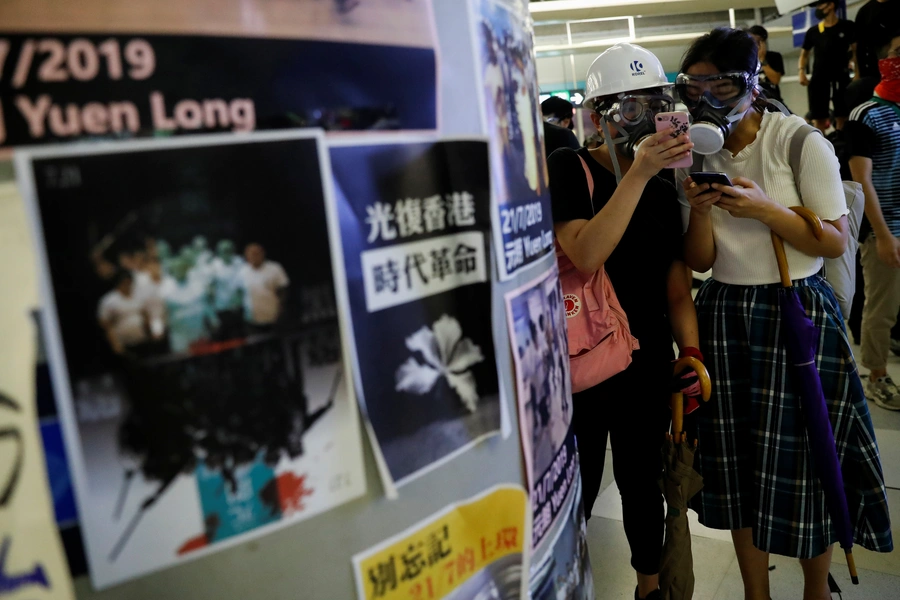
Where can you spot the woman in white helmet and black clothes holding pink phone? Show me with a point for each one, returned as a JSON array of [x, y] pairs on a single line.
[[630, 226]]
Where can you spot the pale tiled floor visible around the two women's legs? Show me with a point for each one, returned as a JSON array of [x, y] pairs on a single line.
[[715, 566]]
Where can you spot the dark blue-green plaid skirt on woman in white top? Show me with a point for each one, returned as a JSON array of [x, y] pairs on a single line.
[[753, 448]]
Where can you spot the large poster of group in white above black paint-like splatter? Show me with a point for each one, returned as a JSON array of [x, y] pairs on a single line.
[[194, 343]]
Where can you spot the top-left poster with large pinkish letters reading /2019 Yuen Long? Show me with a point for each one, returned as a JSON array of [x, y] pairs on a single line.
[[76, 70]]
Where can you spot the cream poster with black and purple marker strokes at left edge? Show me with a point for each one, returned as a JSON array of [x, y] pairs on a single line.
[[32, 563]]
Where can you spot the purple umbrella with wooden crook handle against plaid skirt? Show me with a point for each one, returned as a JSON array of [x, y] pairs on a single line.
[[800, 337]]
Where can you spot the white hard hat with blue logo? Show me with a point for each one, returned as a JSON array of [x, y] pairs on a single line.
[[622, 68]]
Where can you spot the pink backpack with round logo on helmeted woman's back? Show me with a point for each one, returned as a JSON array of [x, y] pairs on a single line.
[[600, 341]]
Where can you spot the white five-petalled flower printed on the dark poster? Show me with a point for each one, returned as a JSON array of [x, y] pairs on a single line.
[[446, 354]]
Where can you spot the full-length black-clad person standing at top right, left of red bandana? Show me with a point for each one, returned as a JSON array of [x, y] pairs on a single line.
[[833, 41]]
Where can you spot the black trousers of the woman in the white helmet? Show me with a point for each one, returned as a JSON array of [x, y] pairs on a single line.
[[632, 410]]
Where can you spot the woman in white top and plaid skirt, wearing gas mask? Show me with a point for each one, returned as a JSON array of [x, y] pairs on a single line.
[[753, 450]]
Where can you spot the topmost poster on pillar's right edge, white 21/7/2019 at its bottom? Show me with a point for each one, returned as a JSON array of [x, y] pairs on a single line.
[[523, 223]]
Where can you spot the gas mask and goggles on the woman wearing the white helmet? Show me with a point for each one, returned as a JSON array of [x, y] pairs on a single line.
[[631, 115]]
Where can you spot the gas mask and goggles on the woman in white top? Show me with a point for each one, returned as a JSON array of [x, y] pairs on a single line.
[[716, 103]]
